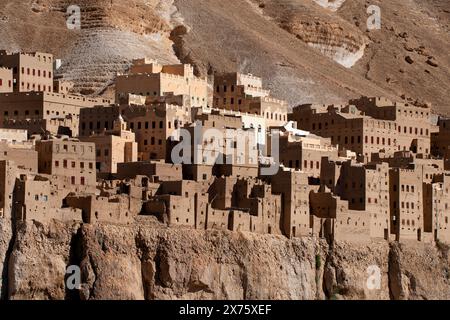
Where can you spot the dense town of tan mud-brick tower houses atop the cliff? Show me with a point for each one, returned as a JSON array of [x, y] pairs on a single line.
[[218, 153]]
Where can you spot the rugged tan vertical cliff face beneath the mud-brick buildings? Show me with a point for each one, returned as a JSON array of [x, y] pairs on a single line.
[[150, 261]]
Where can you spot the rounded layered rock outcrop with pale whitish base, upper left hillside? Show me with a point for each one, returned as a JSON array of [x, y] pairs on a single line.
[[111, 35]]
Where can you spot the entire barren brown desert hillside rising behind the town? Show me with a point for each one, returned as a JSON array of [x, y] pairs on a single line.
[[306, 50]]
